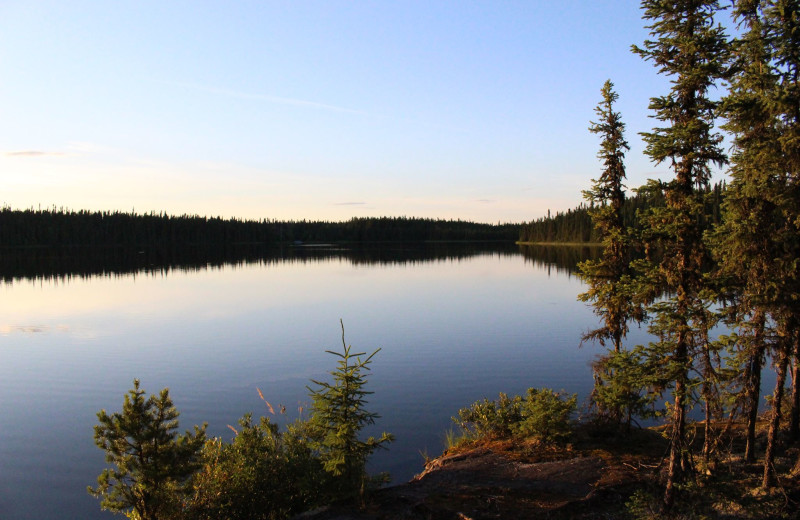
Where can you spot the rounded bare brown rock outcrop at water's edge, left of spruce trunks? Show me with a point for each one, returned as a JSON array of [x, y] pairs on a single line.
[[508, 480]]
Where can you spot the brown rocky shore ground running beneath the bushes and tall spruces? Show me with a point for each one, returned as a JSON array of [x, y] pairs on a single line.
[[591, 479]]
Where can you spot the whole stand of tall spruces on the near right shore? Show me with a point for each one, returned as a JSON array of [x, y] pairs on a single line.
[[711, 272]]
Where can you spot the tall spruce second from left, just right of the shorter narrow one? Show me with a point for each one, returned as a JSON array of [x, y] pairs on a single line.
[[690, 48]]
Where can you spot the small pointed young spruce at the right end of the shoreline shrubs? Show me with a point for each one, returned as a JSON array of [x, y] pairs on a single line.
[[339, 415]]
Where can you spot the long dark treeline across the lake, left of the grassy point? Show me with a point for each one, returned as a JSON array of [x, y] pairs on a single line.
[[58, 227]]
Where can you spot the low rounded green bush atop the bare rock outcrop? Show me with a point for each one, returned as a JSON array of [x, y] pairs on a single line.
[[542, 414]]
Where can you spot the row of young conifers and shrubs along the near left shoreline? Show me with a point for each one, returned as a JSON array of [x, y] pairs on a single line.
[[262, 474]]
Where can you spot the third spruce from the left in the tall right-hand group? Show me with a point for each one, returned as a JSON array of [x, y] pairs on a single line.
[[744, 242]]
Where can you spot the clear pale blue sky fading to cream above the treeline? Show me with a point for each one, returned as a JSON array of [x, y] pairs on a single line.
[[318, 110]]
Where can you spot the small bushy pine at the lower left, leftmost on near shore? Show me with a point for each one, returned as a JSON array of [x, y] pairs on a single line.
[[152, 461]]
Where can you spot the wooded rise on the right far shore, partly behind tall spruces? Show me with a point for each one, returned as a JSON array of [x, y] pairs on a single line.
[[575, 225]]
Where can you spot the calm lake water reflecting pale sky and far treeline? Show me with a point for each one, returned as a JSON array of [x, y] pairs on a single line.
[[455, 324]]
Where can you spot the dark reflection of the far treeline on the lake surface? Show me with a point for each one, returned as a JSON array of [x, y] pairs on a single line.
[[62, 264]]
